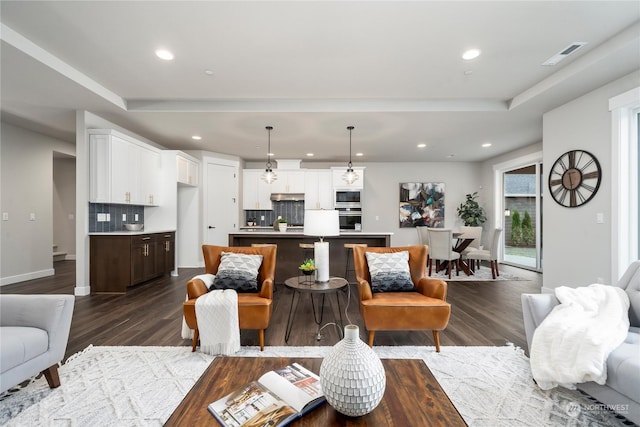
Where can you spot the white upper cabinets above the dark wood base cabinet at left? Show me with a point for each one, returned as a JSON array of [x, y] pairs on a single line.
[[122, 169]]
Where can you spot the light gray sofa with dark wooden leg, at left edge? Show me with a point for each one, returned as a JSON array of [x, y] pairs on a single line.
[[34, 330]]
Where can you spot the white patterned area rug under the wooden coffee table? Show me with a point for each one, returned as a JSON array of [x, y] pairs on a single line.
[[140, 386]]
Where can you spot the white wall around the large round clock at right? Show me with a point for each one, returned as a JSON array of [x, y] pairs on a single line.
[[577, 249]]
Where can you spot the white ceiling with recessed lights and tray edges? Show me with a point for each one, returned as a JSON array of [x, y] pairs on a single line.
[[310, 69]]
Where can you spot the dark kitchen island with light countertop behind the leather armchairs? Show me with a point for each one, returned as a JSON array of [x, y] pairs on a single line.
[[290, 255]]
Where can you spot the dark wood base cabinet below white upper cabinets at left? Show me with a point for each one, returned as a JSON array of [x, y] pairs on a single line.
[[120, 261]]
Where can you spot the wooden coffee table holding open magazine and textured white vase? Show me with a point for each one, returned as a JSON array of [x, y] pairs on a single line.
[[412, 397]]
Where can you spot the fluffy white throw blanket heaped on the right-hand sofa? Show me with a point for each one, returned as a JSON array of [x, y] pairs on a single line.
[[573, 342]]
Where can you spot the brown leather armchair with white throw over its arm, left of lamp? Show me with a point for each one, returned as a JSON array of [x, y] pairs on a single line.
[[254, 309]]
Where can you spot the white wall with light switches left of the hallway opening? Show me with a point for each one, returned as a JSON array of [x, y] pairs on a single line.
[[26, 187]]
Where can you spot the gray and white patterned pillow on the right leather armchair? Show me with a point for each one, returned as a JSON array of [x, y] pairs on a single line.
[[390, 272]]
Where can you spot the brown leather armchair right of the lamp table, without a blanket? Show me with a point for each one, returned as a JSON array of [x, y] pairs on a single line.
[[402, 311]]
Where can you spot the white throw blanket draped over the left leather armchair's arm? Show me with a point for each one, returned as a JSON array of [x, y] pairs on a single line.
[[217, 316]]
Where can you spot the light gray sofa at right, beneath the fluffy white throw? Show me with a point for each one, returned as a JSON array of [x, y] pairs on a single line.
[[622, 388]]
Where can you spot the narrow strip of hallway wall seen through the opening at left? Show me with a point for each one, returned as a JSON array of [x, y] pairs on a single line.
[[64, 205]]
